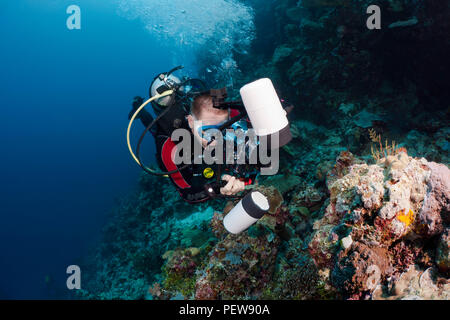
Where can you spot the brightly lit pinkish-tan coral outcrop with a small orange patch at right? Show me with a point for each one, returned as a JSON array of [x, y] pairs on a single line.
[[379, 222]]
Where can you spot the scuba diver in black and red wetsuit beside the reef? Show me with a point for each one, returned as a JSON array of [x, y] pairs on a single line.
[[182, 104]]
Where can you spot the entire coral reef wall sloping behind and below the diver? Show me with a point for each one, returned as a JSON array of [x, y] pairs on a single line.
[[351, 216]]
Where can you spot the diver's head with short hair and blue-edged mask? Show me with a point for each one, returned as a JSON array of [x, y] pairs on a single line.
[[204, 116]]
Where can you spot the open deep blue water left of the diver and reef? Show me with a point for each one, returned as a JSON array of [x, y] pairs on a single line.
[[65, 97]]
